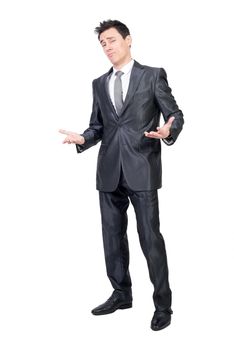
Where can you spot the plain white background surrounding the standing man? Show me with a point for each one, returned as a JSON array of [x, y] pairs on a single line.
[[52, 270]]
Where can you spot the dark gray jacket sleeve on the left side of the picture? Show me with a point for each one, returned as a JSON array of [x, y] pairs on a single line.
[[93, 134]]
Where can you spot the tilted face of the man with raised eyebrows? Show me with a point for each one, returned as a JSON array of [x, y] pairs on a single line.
[[115, 47]]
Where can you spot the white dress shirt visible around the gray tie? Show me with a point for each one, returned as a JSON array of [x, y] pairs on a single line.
[[125, 80]]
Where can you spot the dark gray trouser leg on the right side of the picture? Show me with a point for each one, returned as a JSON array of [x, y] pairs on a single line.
[[147, 214]]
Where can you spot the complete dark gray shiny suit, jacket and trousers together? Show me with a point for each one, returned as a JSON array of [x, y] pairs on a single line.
[[129, 166]]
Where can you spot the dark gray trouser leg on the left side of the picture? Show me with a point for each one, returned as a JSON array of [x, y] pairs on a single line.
[[114, 218]]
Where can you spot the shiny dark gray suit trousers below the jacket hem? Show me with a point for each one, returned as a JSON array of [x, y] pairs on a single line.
[[113, 206]]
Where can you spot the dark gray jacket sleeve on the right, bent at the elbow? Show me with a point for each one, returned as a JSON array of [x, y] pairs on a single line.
[[168, 106]]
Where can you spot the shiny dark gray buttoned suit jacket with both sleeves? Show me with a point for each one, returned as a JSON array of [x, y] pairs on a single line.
[[123, 140]]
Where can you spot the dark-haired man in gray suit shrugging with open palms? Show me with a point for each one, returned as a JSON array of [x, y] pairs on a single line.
[[127, 102]]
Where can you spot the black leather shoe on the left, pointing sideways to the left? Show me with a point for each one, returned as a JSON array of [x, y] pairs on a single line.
[[115, 302]]
